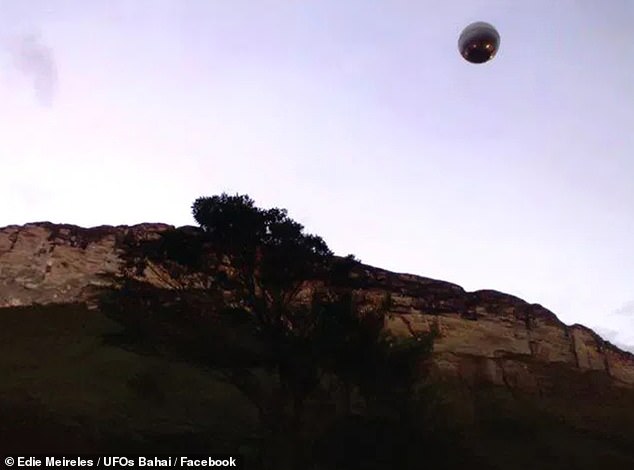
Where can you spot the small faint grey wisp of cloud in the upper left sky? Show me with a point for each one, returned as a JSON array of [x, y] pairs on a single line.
[[35, 61]]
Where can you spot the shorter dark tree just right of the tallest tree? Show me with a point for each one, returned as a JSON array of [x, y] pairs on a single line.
[[386, 429]]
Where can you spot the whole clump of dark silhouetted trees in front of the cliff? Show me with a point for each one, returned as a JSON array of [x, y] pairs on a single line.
[[304, 366]]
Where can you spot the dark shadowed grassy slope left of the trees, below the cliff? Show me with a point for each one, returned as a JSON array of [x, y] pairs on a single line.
[[62, 387]]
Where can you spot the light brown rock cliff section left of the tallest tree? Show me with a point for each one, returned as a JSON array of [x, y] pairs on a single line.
[[48, 263]]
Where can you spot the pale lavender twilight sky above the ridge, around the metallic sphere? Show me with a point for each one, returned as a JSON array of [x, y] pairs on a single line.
[[358, 116]]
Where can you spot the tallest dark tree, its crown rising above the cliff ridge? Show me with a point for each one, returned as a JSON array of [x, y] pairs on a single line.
[[250, 265]]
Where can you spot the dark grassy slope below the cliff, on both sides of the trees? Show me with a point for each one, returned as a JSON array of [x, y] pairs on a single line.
[[63, 389]]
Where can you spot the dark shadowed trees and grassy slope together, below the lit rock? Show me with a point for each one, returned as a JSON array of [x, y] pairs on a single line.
[[237, 355]]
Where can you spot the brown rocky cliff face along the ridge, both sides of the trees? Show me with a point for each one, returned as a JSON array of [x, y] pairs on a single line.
[[484, 336]]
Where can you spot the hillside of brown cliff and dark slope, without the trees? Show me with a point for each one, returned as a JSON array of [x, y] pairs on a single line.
[[523, 388]]
